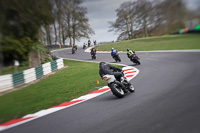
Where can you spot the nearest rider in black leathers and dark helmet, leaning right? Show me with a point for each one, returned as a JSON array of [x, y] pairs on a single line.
[[108, 69]]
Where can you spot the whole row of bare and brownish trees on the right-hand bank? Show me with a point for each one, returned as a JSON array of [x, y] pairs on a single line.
[[143, 18]]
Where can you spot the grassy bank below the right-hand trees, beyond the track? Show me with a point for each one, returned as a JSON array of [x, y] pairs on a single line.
[[168, 42]]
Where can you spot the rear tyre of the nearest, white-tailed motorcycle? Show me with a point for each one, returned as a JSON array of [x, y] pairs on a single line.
[[116, 90]]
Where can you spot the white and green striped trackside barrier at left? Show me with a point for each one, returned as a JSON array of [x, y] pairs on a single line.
[[10, 81]]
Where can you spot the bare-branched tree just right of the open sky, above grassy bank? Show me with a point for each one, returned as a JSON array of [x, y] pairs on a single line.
[[131, 17]]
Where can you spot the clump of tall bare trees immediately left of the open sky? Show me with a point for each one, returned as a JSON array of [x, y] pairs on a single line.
[[70, 21]]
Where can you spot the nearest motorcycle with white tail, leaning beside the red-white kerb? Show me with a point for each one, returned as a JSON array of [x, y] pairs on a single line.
[[118, 88]]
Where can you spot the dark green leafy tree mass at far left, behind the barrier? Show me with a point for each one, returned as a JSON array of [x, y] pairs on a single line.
[[20, 26]]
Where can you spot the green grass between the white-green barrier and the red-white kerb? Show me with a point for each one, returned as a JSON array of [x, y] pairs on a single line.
[[78, 79]]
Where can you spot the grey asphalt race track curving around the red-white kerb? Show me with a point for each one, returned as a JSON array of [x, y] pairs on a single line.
[[166, 100]]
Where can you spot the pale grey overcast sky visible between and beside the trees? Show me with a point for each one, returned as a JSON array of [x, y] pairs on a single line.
[[102, 11]]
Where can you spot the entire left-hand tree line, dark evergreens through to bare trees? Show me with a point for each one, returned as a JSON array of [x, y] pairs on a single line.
[[27, 26]]
